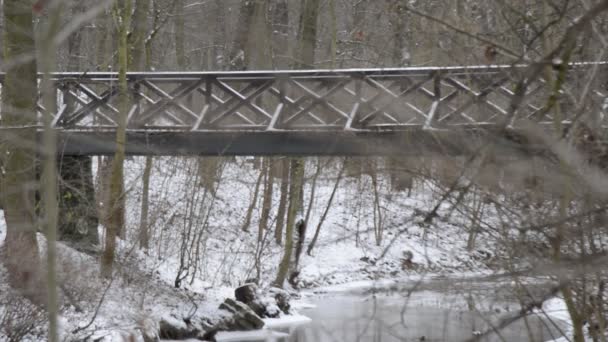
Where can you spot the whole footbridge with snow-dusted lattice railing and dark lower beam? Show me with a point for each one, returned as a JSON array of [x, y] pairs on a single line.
[[407, 111]]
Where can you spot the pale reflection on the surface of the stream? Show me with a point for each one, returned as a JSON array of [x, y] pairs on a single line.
[[390, 318]]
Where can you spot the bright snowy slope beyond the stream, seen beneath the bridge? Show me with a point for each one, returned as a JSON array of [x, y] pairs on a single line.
[[347, 235]]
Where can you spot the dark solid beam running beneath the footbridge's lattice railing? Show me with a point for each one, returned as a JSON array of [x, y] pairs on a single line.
[[214, 143]]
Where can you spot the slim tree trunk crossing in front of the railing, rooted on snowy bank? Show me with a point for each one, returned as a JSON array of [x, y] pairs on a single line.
[[116, 220]]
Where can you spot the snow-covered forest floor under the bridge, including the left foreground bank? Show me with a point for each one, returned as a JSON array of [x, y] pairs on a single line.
[[202, 236]]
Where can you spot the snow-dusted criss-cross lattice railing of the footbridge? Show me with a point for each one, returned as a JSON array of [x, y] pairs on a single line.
[[359, 100]]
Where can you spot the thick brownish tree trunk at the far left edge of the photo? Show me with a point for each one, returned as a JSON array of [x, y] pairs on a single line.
[[19, 94]]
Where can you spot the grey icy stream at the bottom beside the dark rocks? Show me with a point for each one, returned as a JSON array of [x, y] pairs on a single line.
[[437, 311]]
